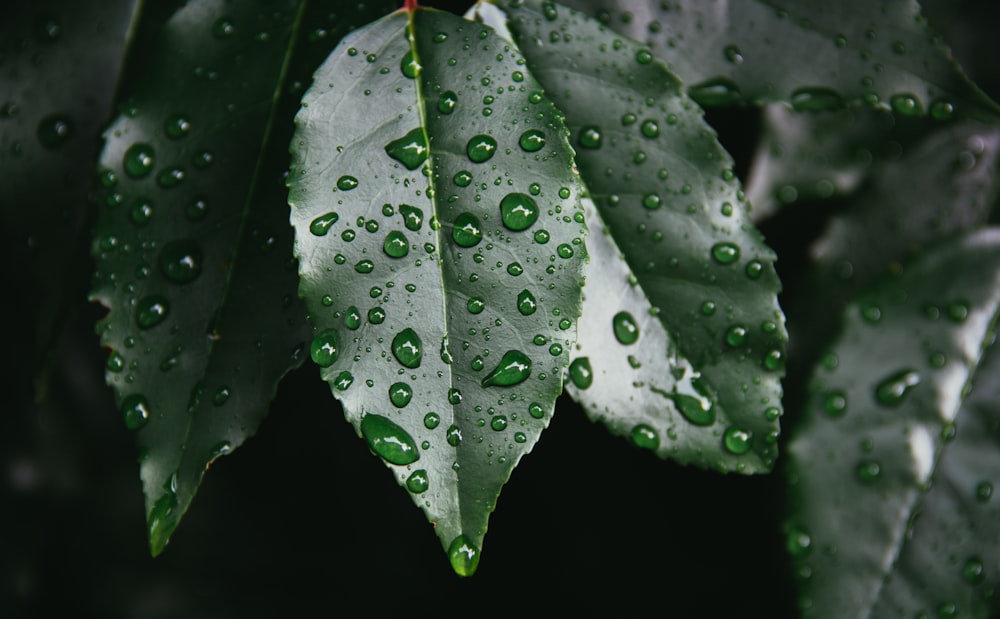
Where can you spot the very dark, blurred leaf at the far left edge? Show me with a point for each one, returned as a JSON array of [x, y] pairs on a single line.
[[59, 68]]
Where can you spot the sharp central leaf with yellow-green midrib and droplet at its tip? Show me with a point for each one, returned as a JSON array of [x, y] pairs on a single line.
[[442, 269]]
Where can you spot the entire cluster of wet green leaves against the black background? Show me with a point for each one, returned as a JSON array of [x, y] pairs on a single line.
[[484, 207]]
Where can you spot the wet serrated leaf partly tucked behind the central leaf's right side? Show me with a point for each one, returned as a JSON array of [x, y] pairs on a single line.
[[683, 339]]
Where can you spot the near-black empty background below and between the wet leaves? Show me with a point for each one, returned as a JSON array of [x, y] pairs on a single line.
[[304, 521]]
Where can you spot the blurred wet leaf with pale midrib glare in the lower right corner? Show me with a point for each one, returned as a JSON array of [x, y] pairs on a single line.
[[869, 451]]
